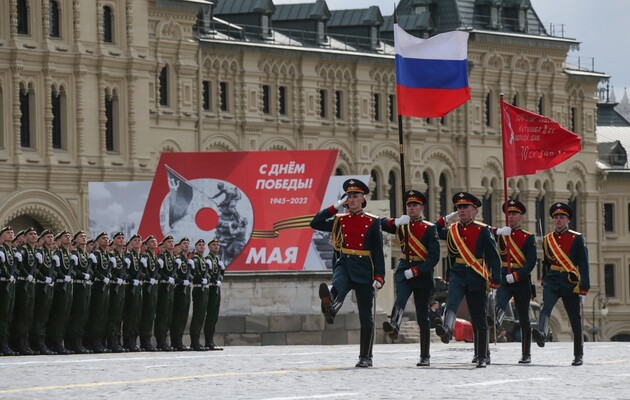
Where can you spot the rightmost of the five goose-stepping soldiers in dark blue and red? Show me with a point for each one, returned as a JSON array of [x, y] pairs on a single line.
[[565, 276]]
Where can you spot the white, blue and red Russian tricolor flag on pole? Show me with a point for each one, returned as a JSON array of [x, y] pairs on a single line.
[[431, 74]]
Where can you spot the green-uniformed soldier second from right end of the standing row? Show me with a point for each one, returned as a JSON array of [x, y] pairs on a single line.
[[199, 294]]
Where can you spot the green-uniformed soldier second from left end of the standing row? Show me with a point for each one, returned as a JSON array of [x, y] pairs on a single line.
[[24, 291]]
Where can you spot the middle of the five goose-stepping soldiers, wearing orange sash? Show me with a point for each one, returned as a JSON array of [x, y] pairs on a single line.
[[474, 267]]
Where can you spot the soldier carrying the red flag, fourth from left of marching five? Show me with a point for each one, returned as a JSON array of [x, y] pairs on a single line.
[[515, 276]]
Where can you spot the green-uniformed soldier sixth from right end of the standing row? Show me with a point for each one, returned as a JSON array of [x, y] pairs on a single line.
[[133, 295]]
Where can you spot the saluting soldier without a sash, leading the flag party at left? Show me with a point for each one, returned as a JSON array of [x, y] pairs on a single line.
[[360, 266]]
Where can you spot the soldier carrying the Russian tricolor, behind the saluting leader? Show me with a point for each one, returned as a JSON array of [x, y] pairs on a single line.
[[414, 274]]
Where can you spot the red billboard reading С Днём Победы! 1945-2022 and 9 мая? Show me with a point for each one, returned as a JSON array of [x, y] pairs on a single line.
[[258, 204]]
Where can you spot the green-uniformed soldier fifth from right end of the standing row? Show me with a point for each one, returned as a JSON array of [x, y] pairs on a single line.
[[151, 272]]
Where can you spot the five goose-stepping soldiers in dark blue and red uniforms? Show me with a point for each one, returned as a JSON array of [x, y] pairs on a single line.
[[480, 258]]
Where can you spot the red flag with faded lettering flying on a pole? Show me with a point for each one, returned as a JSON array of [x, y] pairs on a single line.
[[533, 142]]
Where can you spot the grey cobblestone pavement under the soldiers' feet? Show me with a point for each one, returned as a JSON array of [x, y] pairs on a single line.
[[314, 372]]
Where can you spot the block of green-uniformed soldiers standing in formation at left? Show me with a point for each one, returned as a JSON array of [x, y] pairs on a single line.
[[65, 294]]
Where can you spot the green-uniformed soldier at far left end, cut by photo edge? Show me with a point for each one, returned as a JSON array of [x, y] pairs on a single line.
[[7, 288]]
